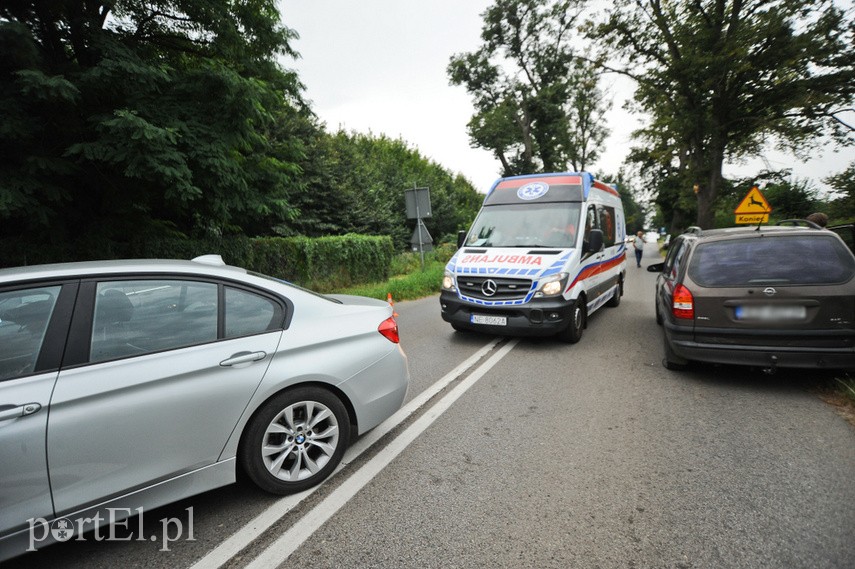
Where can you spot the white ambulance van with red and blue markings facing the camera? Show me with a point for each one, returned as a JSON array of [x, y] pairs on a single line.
[[545, 252]]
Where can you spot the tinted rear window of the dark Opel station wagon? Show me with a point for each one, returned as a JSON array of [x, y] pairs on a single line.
[[765, 260]]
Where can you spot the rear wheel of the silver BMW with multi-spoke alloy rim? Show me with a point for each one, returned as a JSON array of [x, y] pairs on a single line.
[[295, 440]]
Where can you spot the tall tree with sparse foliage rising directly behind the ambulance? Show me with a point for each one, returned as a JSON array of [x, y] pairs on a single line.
[[537, 106]]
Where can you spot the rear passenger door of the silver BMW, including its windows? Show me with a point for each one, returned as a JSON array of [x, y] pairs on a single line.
[[161, 379]]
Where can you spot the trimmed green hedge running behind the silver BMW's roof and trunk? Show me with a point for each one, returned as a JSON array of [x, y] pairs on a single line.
[[323, 264]]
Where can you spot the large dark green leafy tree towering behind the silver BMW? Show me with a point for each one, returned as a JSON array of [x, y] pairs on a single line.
[[151, 115]]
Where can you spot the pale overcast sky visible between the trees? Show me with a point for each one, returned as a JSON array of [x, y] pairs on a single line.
[[379, 66]]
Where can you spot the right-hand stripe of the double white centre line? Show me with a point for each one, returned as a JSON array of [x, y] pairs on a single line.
[[301, 531]]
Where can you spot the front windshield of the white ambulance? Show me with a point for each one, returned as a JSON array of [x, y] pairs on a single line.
[[526, 225]]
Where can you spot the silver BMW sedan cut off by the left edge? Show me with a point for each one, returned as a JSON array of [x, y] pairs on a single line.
[[126, 385]]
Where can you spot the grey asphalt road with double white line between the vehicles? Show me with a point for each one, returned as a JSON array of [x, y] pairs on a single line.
[[542, 454]]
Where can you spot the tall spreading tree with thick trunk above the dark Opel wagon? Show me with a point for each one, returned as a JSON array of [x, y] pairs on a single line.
[[720, 78]]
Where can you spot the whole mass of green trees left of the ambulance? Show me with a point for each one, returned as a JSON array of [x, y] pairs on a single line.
[[144, 119]]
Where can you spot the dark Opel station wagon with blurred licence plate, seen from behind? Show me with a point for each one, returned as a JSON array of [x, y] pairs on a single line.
[[768, 297]]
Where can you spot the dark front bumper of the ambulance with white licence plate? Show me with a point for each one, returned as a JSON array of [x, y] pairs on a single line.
[[540, 317]]
